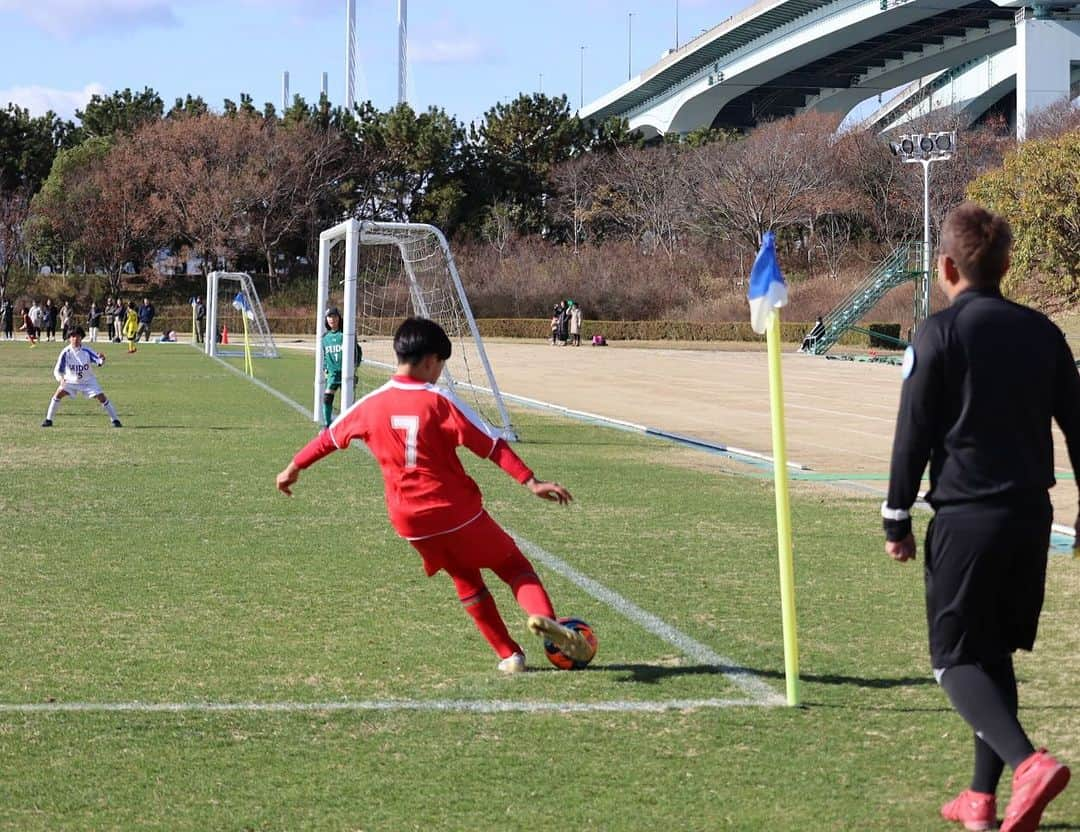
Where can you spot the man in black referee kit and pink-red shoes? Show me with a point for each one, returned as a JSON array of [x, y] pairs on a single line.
[[982, 384]]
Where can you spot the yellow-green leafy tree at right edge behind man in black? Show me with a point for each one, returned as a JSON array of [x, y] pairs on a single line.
[[1037, 189]]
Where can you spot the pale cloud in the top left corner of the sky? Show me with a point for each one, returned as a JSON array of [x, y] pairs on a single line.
[[71, 19]]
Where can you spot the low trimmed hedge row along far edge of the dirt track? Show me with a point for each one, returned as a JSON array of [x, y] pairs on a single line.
[[539, 329]]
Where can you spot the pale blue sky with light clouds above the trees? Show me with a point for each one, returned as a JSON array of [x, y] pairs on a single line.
[[465, 56]]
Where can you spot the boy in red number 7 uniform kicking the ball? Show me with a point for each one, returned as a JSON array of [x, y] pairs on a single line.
[[414, 430]]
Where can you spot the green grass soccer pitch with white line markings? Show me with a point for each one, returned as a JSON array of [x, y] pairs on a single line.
[[247, 662]]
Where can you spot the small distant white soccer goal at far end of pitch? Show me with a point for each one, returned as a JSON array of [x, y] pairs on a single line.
[[234, 312]]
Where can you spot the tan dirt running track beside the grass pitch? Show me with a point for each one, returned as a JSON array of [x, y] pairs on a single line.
[[841, 414]]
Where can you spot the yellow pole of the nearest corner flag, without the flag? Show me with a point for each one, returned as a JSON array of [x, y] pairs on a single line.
[[784, 513]]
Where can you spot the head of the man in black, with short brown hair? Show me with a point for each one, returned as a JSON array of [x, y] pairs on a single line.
[[978, 241]]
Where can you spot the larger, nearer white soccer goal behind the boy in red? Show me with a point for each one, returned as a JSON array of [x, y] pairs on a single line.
[[390, 272]]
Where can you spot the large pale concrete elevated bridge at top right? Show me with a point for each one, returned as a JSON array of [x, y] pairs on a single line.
[[779, 58]]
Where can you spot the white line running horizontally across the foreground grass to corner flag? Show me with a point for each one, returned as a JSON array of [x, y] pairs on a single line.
[[461, 706]]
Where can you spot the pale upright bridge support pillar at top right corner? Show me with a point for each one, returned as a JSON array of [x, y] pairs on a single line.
[[1046, 51]]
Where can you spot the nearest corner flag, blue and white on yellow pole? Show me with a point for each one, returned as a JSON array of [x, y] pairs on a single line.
[[768, 293]]
